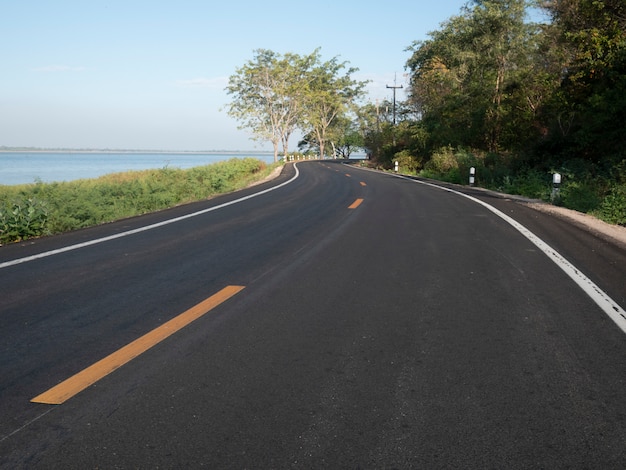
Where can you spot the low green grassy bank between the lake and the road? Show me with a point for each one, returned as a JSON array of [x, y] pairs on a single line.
[[33, 210]]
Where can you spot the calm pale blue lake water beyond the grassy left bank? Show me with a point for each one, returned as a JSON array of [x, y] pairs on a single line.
[[29, 167]]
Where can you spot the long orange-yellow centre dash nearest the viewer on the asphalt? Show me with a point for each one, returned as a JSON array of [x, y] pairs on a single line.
[[77, 383]]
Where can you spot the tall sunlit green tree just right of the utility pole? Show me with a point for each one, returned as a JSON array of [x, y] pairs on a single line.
[[471, 79]]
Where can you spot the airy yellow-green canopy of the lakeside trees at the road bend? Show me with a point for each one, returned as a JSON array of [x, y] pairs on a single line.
[[273, 95]]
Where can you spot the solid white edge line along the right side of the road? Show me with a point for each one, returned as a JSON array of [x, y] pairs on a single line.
[[601, 298]]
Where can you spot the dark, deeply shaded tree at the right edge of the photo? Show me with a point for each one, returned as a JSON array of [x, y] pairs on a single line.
[[588, 112]]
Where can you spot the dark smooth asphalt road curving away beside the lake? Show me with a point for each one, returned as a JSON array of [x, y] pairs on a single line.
[[382, 323]]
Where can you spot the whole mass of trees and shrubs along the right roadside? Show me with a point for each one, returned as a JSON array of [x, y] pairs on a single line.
[[518, 100]]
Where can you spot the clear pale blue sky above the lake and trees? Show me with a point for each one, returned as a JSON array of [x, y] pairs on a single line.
[[151, 74]]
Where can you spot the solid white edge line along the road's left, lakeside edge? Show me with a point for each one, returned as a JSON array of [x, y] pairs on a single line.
[[45, 254]]
